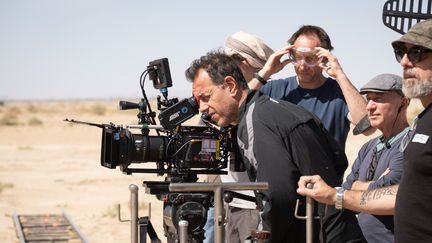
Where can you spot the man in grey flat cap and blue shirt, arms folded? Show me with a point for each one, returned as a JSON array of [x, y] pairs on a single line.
[[380, 162]]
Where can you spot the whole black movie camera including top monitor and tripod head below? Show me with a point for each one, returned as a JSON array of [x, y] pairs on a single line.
[[179, 152]]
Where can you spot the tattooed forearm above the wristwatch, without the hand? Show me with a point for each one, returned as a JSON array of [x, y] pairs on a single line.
[[380, 201]]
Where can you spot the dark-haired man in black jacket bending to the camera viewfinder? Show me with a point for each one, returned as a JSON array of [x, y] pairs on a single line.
[[279, 141]]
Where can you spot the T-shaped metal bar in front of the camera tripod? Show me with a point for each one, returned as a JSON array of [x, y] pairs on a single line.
[[218, 190]]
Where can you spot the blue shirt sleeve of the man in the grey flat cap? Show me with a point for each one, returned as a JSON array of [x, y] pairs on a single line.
[[396, 159]]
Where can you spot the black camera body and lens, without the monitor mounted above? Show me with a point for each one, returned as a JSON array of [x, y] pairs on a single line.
[[182, 151]]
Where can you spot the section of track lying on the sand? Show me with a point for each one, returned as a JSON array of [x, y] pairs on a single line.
[[47, 228]]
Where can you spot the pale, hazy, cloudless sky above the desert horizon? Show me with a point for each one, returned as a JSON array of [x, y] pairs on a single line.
[[97, 49]]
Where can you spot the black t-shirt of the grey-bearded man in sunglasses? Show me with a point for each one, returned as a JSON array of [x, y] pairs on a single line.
[[413, 215]]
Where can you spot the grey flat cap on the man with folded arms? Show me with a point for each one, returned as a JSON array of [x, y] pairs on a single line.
[[382, 83]]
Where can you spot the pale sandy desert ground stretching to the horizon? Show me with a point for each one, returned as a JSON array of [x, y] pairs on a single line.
[[47, 165]]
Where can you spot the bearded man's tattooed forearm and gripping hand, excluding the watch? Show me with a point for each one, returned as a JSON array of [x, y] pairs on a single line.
[[379, 201]]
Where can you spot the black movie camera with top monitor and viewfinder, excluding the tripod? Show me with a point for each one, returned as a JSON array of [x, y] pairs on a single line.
[[178, 151]]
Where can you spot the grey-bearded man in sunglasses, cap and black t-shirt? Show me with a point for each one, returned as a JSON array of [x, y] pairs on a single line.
[[410, 200]]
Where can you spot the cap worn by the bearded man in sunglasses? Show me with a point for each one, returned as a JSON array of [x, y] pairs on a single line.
[[420, 35]]
